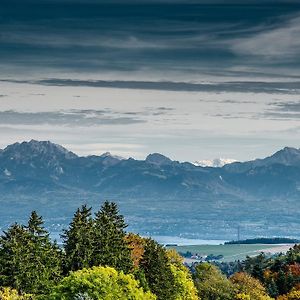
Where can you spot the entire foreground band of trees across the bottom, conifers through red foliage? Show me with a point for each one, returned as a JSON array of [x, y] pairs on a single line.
[[100, 260]]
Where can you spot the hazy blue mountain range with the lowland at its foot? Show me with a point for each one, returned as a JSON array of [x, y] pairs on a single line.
[[158, 196]]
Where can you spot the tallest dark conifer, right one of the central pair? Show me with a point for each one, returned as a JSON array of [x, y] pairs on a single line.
[[110, 245]]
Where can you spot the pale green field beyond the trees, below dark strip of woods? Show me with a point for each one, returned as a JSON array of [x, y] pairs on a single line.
[[233, 252]]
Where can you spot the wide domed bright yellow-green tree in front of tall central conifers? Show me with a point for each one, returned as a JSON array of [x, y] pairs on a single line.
[[97, 283]]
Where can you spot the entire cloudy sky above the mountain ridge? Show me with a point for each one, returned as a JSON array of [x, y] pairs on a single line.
[[190, 79]]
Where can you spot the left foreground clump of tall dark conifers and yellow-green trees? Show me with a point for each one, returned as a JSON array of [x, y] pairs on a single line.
[[98, 260]]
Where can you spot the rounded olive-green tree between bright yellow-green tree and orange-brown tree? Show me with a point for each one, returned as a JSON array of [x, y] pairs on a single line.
[[212, 284]]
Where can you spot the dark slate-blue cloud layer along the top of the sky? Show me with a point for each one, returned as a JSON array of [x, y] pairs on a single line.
[[187, 36]]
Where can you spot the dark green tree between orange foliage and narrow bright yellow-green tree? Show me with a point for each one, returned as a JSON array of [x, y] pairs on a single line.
[[157, 270]]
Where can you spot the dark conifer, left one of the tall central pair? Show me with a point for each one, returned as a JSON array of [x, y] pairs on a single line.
[[78, 240]]
